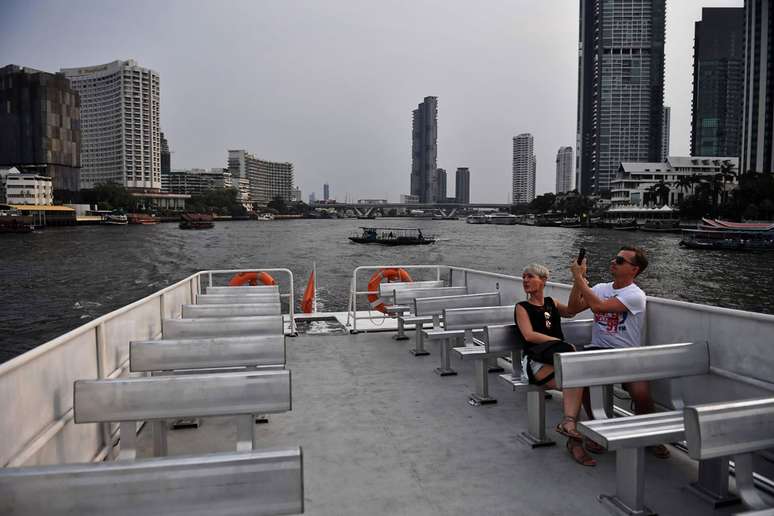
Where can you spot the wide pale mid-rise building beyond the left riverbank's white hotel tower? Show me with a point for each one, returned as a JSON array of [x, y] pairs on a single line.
[[267, 179]]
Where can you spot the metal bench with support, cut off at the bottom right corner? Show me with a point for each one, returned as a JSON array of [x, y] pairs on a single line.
[[739, 429]]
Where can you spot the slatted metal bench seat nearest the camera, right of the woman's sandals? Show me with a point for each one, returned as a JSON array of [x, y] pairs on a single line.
[[635, 431]]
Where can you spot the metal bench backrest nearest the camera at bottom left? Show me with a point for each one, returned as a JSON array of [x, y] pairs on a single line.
[[239, 484]]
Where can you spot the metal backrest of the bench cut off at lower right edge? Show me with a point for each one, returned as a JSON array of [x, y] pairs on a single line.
[[723, 429]]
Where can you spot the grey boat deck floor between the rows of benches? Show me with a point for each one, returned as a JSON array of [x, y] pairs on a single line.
[[382, 434]]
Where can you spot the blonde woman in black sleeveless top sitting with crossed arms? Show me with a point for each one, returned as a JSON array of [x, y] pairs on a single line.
[[538, 321]]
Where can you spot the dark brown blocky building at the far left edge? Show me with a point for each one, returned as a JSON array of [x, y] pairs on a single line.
[[40, 118]]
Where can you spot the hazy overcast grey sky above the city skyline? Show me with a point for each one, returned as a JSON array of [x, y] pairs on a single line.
[[330, 84]]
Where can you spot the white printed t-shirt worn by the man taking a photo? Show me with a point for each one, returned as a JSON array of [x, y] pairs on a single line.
[[619, 329]]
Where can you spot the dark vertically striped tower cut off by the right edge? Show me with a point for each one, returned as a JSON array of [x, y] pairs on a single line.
[[758, 118]]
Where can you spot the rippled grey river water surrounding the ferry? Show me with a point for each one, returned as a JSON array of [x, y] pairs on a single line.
[[55, 280]]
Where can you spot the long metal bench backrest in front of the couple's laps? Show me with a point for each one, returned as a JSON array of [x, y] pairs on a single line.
[[607, 367]]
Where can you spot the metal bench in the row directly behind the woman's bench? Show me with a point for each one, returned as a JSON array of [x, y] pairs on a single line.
[[459, 325]]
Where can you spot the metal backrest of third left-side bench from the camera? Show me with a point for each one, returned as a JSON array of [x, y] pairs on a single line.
[[169, 355]]
